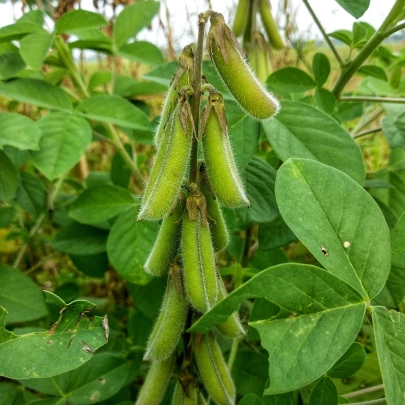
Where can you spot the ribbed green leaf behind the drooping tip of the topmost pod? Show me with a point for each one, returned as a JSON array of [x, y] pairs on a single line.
[[302, 131]]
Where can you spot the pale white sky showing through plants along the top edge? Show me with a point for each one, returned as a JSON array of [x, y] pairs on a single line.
[[331, 15]]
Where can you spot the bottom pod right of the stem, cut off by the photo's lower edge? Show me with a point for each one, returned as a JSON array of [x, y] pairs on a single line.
[[213, 369]]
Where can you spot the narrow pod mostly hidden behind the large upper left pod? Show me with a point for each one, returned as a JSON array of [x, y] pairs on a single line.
[[182, 77]]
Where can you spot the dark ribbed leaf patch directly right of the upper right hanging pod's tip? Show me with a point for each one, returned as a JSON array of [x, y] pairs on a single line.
[[259, 179]]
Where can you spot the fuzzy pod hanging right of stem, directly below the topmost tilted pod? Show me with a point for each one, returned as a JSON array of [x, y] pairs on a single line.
[[220, 165]]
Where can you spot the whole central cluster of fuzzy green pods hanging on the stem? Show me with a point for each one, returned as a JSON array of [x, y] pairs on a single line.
[[193, 227]]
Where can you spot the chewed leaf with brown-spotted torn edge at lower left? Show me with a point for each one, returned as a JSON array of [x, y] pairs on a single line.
[[67, 345]]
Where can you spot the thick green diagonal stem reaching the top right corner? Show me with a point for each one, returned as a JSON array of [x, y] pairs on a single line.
[[350, 69]]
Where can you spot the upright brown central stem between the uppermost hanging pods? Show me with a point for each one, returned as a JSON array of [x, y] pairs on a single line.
[[196, 97]]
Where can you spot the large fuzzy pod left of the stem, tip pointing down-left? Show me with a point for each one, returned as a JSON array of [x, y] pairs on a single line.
[[166, 177]]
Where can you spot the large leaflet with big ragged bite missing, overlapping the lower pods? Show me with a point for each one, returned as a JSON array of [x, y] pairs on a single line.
[[300, 350]]
